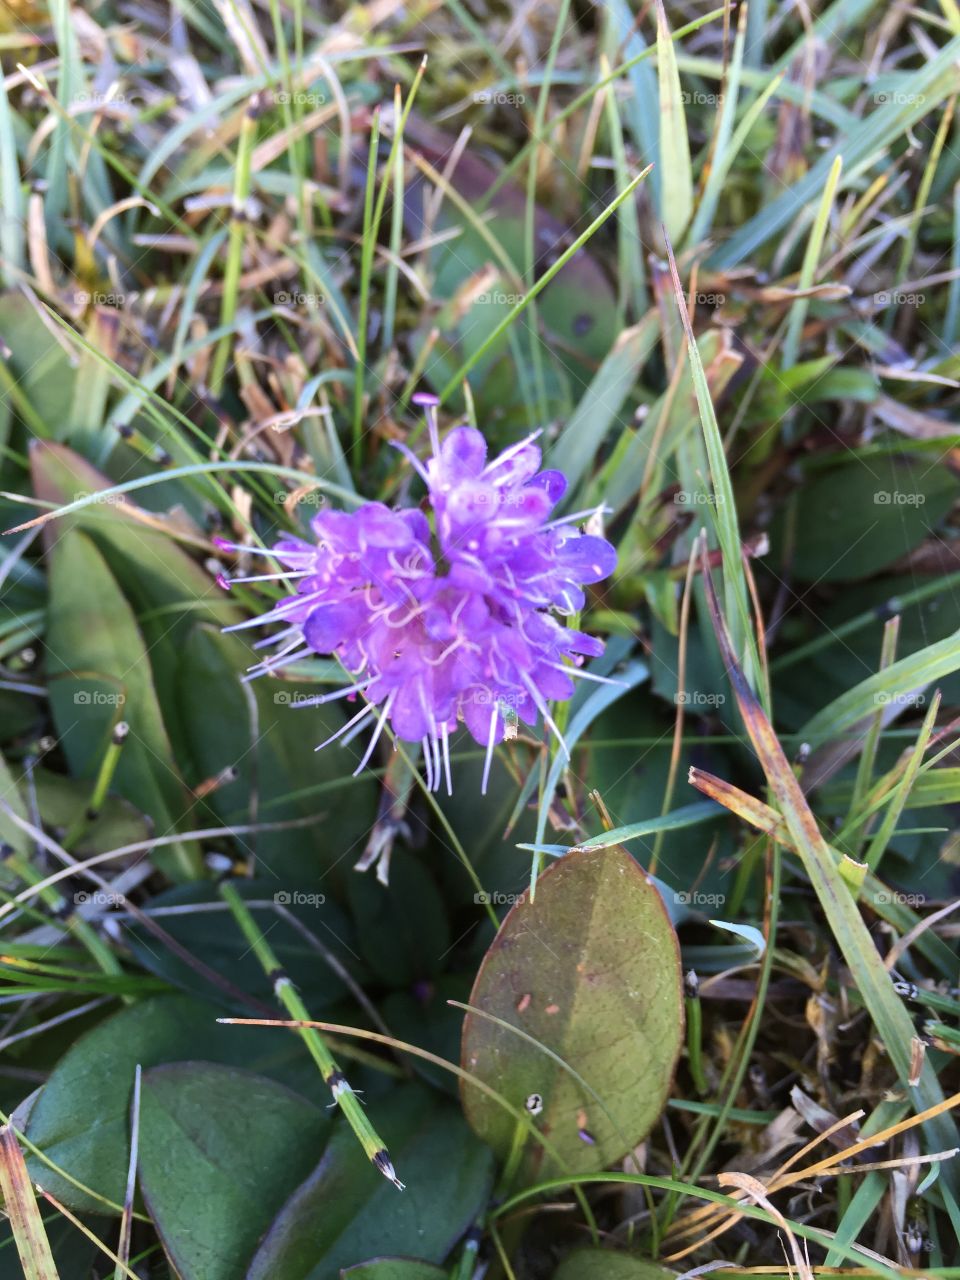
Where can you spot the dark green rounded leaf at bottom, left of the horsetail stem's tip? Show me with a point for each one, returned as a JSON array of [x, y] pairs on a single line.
[[221, 1151]]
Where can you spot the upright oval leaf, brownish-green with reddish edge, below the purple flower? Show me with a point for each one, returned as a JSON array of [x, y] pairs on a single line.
[[588, 973]]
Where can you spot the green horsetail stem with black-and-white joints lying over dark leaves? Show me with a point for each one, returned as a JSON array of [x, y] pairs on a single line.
[[289, 998]]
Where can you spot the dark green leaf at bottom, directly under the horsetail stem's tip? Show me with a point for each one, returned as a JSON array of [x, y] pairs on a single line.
[[346, 1210]]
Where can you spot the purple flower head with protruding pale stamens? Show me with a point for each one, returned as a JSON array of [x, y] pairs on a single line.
[[446, 619]]
